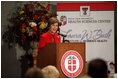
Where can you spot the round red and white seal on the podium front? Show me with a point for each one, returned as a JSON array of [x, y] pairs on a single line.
[[72, 63]]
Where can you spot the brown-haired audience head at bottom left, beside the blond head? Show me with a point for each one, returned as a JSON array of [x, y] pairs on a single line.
[[34, 72]]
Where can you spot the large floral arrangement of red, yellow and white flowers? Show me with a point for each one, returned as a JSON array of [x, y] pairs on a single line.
[[28, 23]]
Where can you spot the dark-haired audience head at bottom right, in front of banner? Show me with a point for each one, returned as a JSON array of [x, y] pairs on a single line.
[[97, 68]]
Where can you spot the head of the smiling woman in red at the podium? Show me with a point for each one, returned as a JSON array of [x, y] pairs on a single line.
[[53, 24]]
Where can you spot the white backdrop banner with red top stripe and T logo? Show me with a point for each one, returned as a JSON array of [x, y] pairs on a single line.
[[91, 22]]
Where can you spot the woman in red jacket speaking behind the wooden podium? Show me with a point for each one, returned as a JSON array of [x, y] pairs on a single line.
[[50, 36]]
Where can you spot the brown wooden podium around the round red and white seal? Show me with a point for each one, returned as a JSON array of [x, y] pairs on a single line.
[[52, 54]]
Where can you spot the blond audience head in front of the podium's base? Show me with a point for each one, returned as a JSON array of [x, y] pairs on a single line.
[[50, 72]]
